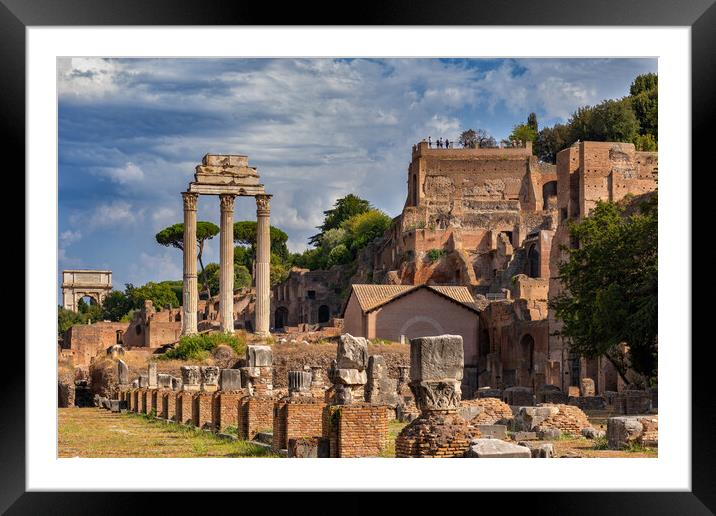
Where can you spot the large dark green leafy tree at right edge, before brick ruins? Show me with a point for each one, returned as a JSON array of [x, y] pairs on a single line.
[[611, 286]]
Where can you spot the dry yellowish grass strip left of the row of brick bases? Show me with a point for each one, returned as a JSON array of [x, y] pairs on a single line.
[[98, 433]]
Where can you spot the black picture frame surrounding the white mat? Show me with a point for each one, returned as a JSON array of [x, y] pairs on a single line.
[[17, 15]]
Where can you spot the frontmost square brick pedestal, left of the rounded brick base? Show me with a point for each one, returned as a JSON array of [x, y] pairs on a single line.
[[359, 430]]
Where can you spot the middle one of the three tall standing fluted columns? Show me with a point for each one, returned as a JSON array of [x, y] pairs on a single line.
[[226, 264]]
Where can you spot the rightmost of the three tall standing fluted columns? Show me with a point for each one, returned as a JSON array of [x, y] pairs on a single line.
[[263, 258]]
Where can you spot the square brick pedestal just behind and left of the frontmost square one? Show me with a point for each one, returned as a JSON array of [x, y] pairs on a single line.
[[295, 418]]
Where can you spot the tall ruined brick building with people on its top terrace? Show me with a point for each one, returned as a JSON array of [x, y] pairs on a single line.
[[475, 206]]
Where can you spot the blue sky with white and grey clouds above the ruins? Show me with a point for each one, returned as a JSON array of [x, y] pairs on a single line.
[[131, 132]]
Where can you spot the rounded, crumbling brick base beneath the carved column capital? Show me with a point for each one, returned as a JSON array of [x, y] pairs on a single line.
[[436, 435]]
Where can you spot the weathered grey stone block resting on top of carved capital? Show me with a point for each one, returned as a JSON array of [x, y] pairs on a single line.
[[437, 358]]
